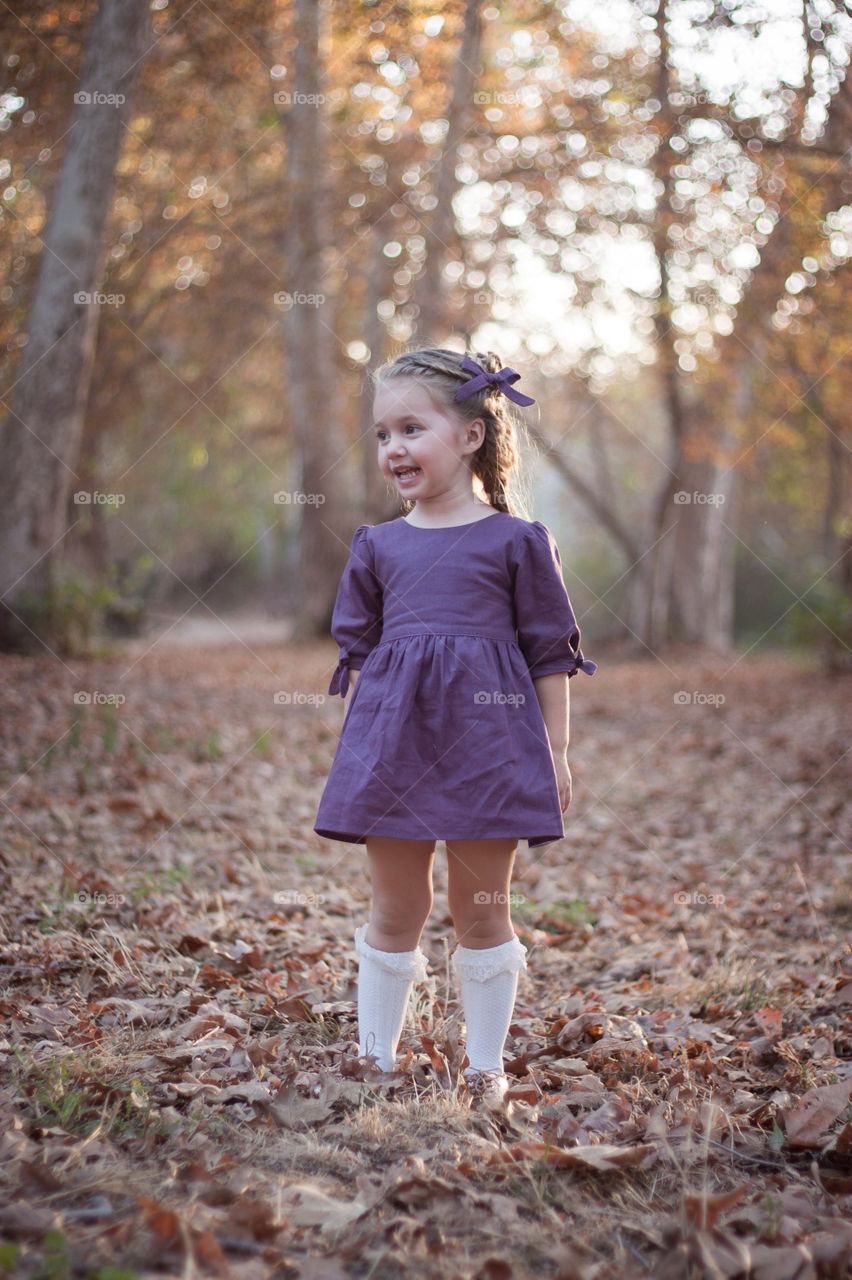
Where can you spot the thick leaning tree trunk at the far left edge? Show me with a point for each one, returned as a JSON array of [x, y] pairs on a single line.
[[42, 436]]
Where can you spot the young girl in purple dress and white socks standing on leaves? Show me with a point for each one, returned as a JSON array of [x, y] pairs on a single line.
[[457, 619]]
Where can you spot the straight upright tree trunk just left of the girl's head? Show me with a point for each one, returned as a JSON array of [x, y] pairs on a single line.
[[326, 510]]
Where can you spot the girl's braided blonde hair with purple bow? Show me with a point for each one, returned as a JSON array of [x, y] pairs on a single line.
[[497, 461]]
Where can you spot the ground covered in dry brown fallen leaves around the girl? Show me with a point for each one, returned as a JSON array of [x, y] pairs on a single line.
[[180, 1084]]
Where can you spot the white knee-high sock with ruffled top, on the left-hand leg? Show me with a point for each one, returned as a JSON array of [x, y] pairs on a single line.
[[386, 980]]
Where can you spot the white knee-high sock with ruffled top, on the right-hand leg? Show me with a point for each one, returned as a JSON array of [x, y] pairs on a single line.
[[489, 982]]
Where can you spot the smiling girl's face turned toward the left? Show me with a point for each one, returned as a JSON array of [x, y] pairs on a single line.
[[424, 451]]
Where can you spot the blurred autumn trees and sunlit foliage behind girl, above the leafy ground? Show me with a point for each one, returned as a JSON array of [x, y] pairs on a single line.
[[217, 220]]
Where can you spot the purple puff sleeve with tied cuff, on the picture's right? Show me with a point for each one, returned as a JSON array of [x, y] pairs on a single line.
[[548, 632]]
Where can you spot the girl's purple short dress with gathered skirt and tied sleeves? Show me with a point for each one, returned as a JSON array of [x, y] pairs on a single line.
[[445, 738]]
